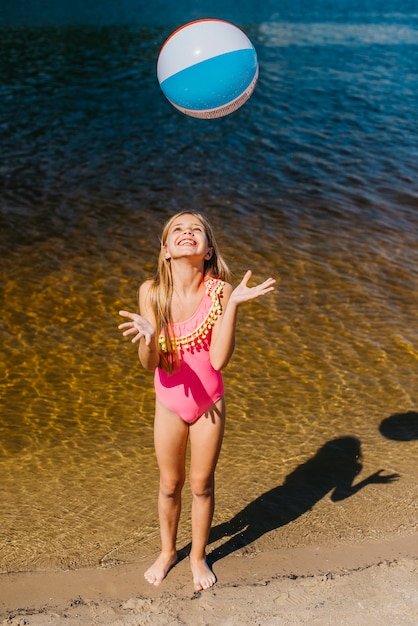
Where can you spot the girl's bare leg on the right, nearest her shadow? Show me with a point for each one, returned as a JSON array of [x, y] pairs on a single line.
[[206, 439]]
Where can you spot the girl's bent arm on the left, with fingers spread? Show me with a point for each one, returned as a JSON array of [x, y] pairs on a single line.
[[142, 327]]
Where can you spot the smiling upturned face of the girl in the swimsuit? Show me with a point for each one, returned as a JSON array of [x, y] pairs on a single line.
[[186, 237]]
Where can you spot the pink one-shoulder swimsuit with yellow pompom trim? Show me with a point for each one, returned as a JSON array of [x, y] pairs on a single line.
[[195, 385]]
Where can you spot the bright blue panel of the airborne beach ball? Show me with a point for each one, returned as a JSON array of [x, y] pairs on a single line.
[[212, 83]]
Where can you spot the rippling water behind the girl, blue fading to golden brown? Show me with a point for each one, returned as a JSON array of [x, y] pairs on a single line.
[[313, 181]]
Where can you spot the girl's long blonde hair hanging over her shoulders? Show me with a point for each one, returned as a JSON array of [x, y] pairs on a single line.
[[161, 289]]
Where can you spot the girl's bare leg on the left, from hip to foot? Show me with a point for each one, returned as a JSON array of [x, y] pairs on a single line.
[[170, 439]]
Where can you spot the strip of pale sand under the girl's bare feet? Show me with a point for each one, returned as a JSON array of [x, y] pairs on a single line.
[[370, 584]]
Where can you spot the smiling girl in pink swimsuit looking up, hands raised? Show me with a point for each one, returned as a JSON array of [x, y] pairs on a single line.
[[186, 336]]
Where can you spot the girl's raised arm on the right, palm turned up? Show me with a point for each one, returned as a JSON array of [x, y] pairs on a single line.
[[223, 333]]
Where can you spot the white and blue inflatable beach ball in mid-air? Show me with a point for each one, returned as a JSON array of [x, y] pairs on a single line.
[[207, 68]]
